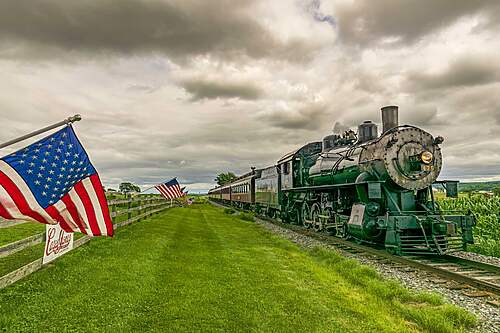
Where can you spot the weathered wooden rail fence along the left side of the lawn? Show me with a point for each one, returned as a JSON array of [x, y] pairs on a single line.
[[143, 207]]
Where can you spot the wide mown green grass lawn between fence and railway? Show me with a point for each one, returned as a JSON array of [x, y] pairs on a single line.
[[198, 269]]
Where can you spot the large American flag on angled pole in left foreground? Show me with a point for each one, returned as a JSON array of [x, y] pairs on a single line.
[[52, 181]]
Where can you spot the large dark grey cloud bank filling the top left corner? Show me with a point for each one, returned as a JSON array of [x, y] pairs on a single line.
[[33, 29]]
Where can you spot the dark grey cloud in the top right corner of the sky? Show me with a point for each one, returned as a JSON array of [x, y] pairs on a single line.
[[367, 22]]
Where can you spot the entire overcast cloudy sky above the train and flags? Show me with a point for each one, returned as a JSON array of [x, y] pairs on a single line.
[[191, 88]]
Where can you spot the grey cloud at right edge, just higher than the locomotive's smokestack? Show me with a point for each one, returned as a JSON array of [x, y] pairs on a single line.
[[467, 71]]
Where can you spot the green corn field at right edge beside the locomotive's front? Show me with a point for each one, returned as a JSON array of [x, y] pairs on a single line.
[[487, 213]]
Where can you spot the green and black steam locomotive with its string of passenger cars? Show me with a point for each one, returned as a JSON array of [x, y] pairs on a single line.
[[361, 186]]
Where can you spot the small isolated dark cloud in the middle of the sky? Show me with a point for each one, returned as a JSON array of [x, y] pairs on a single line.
[[206, 89]]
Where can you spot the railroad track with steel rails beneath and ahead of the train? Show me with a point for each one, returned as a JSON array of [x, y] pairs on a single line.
[[476, 279]]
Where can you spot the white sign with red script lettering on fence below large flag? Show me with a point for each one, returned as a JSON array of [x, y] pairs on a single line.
[[57, 242]]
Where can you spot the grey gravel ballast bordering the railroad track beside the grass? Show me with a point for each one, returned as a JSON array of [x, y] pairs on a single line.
[[489, 315]]
